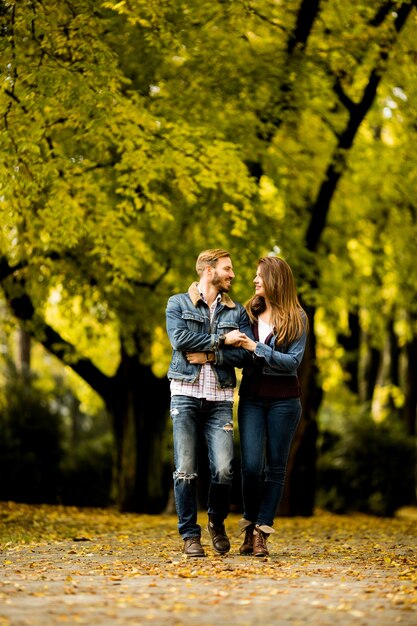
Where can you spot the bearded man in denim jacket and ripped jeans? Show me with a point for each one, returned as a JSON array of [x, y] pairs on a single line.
[[202, 379]]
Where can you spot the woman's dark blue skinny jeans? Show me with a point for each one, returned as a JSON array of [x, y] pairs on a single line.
[[266, 428]]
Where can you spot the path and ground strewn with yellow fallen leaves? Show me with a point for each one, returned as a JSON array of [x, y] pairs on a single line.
[[62, 565]]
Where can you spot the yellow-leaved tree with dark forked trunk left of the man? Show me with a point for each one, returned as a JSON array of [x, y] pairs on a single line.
[[98, 192]]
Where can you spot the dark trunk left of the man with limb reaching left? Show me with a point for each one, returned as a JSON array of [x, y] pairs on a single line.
[[138, 403]]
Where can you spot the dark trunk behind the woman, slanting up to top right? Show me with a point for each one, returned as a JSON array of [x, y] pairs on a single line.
[[299, 493]]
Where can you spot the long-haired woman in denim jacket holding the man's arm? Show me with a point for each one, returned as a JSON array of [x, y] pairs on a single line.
[[269, 405]]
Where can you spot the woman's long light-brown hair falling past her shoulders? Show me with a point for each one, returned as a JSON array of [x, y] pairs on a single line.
[[287, 316]]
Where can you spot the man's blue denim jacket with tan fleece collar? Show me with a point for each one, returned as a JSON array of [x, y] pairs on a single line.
[[190, 330]]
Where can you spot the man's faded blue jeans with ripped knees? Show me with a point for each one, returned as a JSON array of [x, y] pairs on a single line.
[[191, 418]]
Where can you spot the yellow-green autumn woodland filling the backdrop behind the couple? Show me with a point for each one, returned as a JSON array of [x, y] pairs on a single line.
[[136, 133]]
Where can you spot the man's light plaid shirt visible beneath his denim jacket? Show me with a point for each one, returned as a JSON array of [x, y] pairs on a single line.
[[206, 384]]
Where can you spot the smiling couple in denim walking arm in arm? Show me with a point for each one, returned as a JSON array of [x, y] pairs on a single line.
[[210, 335]]
